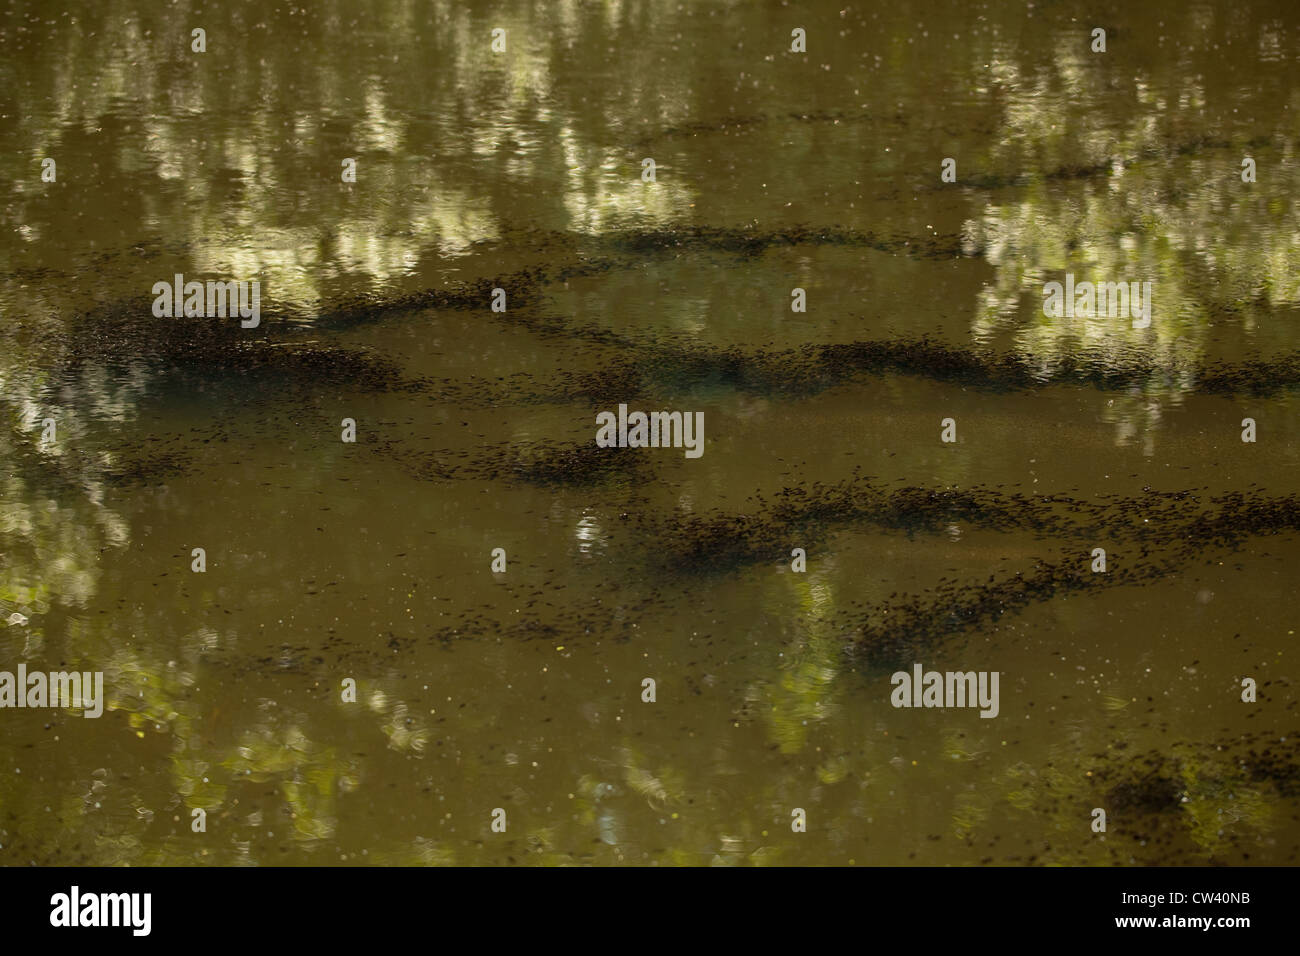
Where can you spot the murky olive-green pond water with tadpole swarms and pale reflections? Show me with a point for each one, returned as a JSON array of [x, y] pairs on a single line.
[[475, 431]]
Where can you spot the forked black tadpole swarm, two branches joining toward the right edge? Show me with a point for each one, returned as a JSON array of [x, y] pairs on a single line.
[[1149, 538]]
